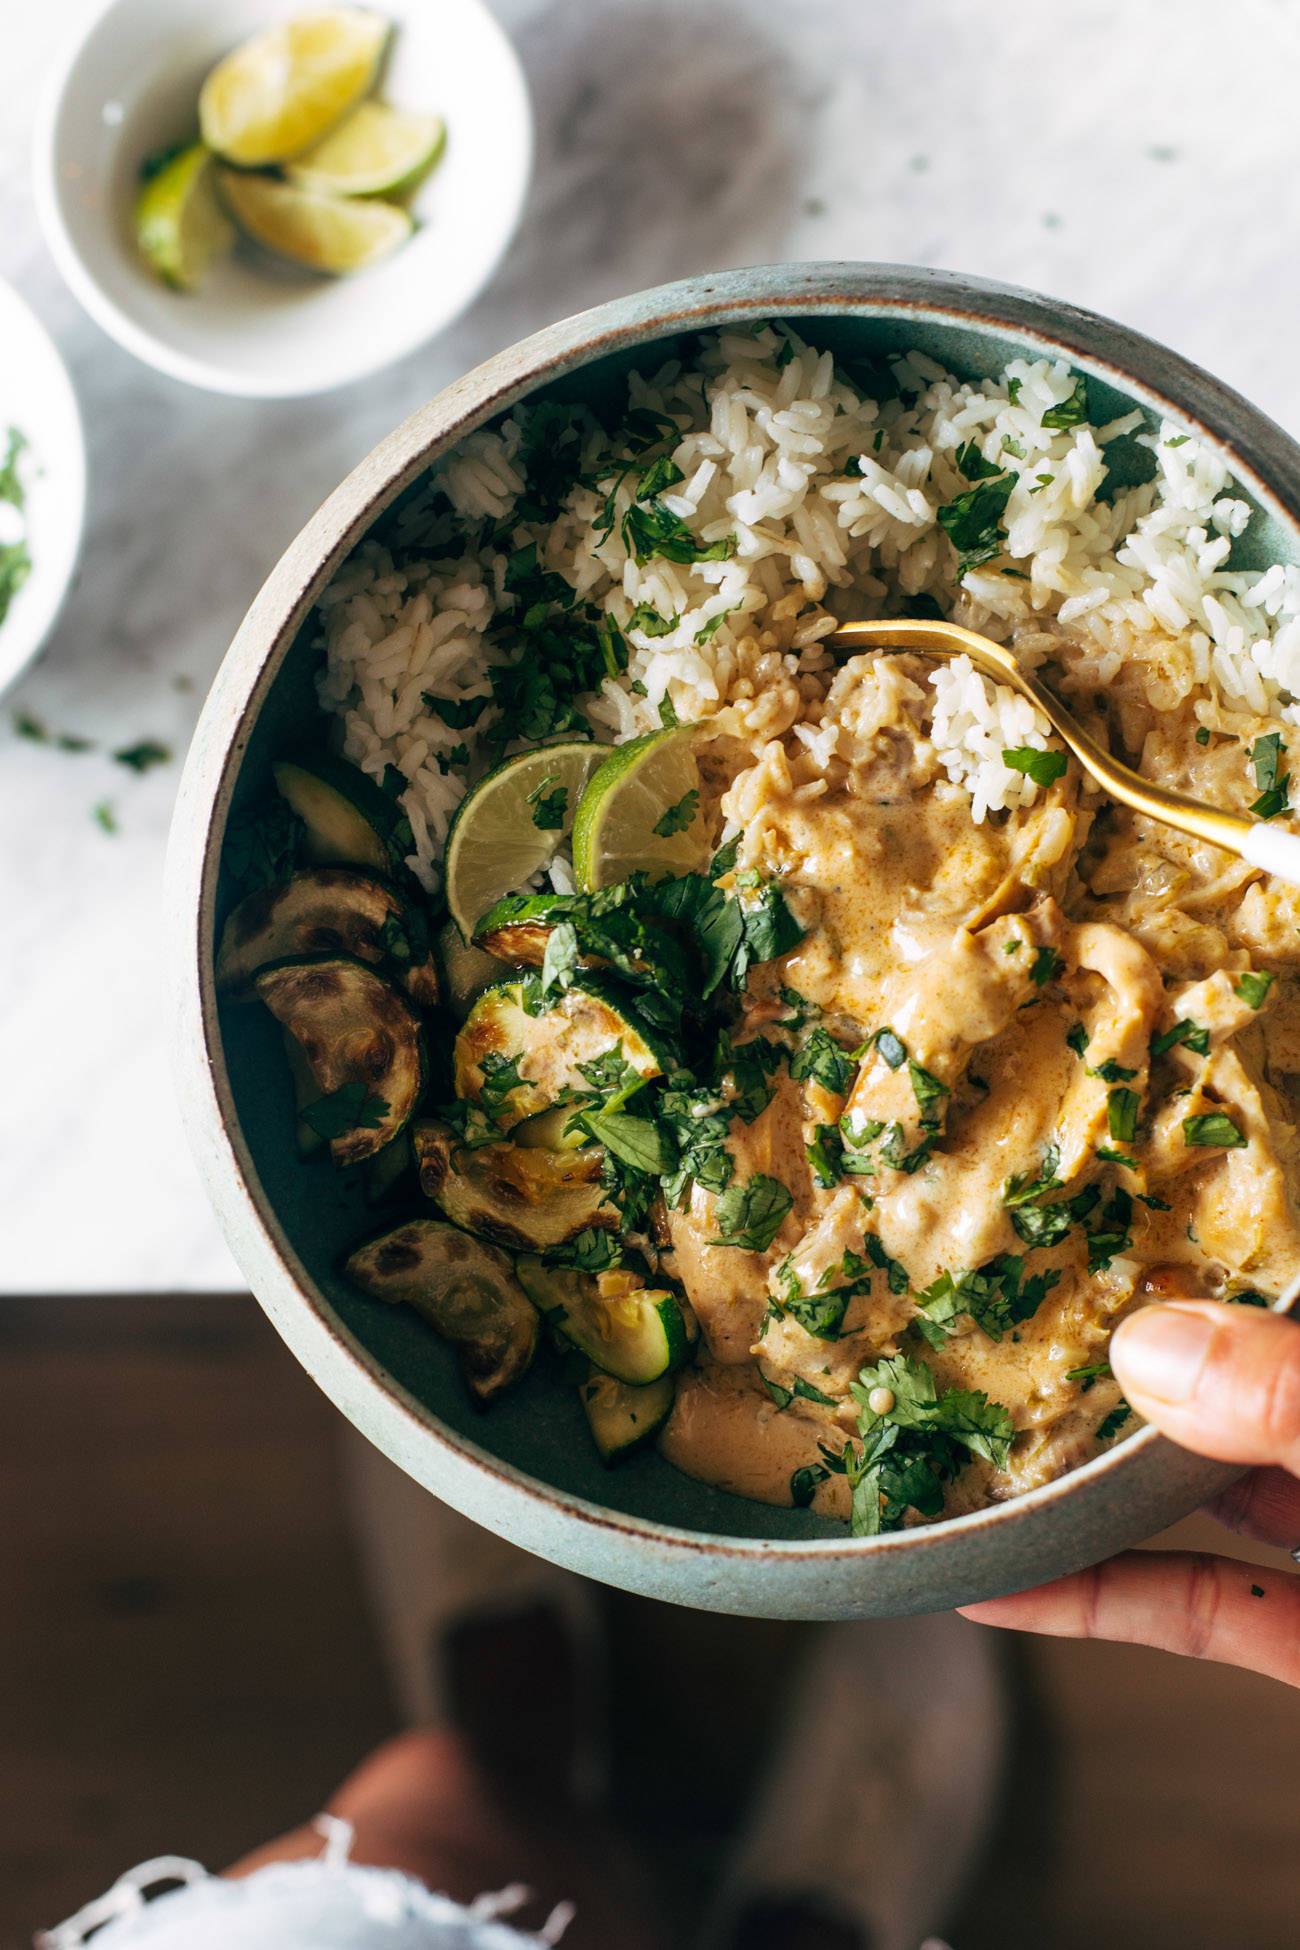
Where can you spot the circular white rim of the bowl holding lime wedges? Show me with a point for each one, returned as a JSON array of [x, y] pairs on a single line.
[[192, 370]]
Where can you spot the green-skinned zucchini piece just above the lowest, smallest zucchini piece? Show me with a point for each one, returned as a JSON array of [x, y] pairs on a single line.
[[631, 1331]]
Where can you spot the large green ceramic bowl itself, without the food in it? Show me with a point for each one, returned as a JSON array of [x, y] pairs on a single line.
[[527, 1469]]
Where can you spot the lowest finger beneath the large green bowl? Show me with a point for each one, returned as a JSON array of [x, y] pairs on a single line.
[[1178, 1600]]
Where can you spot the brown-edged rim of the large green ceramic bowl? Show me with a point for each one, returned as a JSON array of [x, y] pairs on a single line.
[[1260, 453]]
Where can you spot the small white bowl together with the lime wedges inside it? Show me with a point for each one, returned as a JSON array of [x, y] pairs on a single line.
[[397, 266]]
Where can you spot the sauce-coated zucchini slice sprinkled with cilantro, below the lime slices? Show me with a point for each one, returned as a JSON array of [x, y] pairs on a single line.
[[517, 1064]]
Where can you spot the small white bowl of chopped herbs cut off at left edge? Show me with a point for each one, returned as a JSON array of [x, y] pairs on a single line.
[[36, 397]]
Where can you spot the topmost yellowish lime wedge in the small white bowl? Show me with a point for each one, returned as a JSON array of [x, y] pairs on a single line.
[[287, 87]]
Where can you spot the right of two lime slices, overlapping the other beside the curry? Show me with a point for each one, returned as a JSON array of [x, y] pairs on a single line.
[[638, 812]]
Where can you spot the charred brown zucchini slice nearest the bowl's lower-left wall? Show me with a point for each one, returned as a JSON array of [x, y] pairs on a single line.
[[463, 1288]]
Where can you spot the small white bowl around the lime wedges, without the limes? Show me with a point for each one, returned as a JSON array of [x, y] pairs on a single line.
[[130, 87]]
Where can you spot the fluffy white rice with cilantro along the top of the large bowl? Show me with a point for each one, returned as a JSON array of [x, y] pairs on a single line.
[[833, 502]]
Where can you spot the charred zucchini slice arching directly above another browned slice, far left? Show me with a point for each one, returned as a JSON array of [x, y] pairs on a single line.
[[328, 912]]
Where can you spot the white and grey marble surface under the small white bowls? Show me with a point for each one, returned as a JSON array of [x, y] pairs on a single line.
[[1141, 161]]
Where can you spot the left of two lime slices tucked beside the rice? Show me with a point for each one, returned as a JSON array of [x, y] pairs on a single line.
[[502, 834]]
